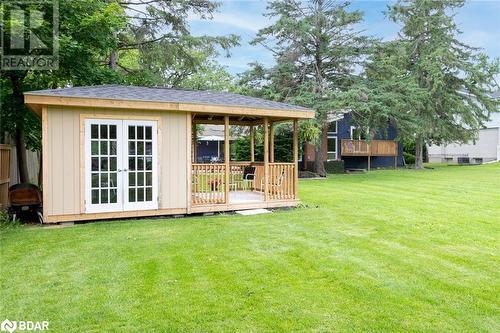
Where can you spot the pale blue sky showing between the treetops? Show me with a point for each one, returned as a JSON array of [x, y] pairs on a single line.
[[479, 20]]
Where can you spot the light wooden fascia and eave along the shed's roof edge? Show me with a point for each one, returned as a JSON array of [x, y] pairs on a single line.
[[37, 101]]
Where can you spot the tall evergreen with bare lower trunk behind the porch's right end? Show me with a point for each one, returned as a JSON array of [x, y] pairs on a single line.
[[317, 49]]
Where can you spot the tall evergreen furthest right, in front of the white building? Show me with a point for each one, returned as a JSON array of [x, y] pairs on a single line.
[[457, 79]]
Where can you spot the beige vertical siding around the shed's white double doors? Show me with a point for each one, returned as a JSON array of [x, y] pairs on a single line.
[[64, 192]]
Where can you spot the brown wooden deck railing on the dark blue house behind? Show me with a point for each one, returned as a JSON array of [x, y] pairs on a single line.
[[369, 148]]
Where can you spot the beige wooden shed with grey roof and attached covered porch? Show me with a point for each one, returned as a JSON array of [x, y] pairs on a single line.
[[118, 151]]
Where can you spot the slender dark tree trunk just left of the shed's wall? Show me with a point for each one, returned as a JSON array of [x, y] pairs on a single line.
[[19, 110]]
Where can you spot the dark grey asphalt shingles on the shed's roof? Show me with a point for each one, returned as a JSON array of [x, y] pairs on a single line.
[[173, 95]]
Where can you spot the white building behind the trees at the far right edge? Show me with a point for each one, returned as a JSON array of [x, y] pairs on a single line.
[[486, 148]]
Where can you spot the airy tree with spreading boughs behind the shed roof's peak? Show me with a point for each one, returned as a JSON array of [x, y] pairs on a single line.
[[157, 46]]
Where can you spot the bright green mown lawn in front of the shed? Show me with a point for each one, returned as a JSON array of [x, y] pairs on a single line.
[[382, 251]]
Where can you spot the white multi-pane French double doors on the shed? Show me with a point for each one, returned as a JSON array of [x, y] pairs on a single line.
[[120, 165]]
